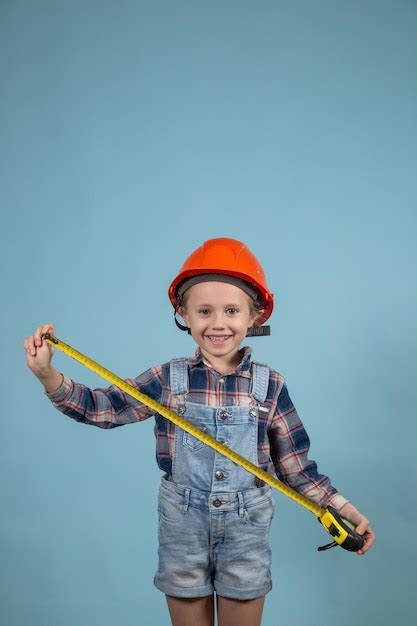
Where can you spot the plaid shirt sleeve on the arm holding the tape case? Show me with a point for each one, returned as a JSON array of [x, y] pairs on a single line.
[[289, 446]]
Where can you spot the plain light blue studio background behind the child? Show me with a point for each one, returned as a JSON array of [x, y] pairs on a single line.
[[130, 133]]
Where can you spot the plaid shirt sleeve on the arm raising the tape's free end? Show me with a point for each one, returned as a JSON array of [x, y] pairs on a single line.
[[107, 407]]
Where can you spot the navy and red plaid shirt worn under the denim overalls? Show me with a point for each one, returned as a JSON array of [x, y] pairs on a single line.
[[283, 443]]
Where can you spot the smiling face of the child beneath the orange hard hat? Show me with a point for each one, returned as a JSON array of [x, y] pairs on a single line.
[[218, 315]]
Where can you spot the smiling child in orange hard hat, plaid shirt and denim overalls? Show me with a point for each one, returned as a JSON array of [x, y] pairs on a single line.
[[214, 517]]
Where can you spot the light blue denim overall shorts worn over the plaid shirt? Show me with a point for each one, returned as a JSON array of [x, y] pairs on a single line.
[[214, 520]]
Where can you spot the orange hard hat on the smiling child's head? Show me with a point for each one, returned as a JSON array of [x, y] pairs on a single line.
[[227, 257]]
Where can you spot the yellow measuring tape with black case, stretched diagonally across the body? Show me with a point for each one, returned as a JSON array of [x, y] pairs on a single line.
[[340, 529]]
